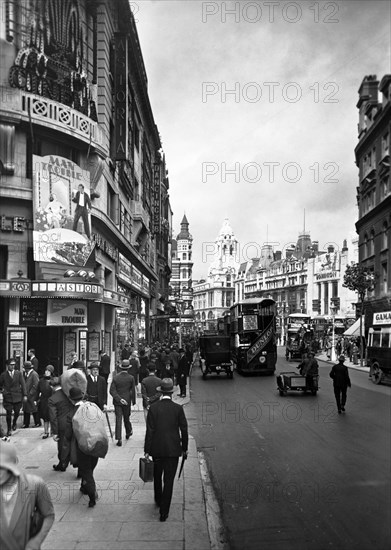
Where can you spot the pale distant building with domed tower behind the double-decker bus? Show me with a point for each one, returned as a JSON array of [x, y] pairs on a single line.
[[214, 296]]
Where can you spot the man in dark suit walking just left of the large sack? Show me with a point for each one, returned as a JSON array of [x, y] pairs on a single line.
[[60, 413]]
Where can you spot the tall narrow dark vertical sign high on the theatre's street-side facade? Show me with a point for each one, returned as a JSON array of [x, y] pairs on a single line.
[[121, 97]]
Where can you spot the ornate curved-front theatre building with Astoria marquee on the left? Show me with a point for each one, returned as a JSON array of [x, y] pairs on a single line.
[[83, 189]]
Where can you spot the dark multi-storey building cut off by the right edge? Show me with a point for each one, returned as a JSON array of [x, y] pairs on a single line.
[[374, 190]]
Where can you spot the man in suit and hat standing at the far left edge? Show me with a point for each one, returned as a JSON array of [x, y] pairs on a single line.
[[13, 387]]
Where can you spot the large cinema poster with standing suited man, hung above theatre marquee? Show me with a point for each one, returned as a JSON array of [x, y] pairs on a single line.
[[62, 211]]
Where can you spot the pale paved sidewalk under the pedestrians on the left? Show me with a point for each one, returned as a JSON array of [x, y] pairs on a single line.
[[125, 516]]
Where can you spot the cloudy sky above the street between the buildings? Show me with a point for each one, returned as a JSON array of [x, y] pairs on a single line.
[[256, 107]]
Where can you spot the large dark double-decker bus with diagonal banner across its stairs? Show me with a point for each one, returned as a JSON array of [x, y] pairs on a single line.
[[253, 335]]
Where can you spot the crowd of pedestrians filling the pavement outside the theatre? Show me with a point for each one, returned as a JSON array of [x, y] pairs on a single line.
[[59, 403]]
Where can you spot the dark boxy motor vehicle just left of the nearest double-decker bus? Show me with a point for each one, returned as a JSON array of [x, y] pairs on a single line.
[[215, 355]]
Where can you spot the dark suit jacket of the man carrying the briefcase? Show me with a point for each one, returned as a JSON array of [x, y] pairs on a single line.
[[167, 434]]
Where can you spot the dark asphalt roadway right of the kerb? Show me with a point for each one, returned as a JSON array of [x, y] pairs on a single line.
[[289, 472]]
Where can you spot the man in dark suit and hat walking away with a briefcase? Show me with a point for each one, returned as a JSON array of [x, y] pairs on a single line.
[[166, 439]]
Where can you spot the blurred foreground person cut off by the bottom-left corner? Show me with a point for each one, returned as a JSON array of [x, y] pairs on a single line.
[[27, 512]]
